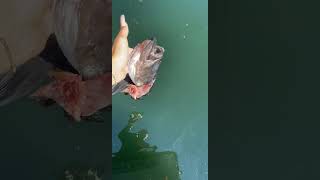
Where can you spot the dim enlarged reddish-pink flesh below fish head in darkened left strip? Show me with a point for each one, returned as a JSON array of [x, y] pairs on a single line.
[[77, 97]]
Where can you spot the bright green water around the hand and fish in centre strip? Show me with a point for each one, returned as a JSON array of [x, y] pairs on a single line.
[[175, 113]]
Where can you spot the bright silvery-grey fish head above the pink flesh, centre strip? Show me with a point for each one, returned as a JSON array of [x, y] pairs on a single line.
[[144, 62]]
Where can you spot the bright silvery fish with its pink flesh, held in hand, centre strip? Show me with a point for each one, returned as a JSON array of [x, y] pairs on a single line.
[[143, 66]]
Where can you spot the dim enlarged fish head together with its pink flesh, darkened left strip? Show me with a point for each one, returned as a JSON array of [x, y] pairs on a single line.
[[82, 29]]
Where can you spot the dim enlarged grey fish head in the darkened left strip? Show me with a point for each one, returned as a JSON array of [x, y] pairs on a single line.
[[83, 29]]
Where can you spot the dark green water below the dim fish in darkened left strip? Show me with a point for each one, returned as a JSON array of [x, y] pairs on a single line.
[[40, 143]]
